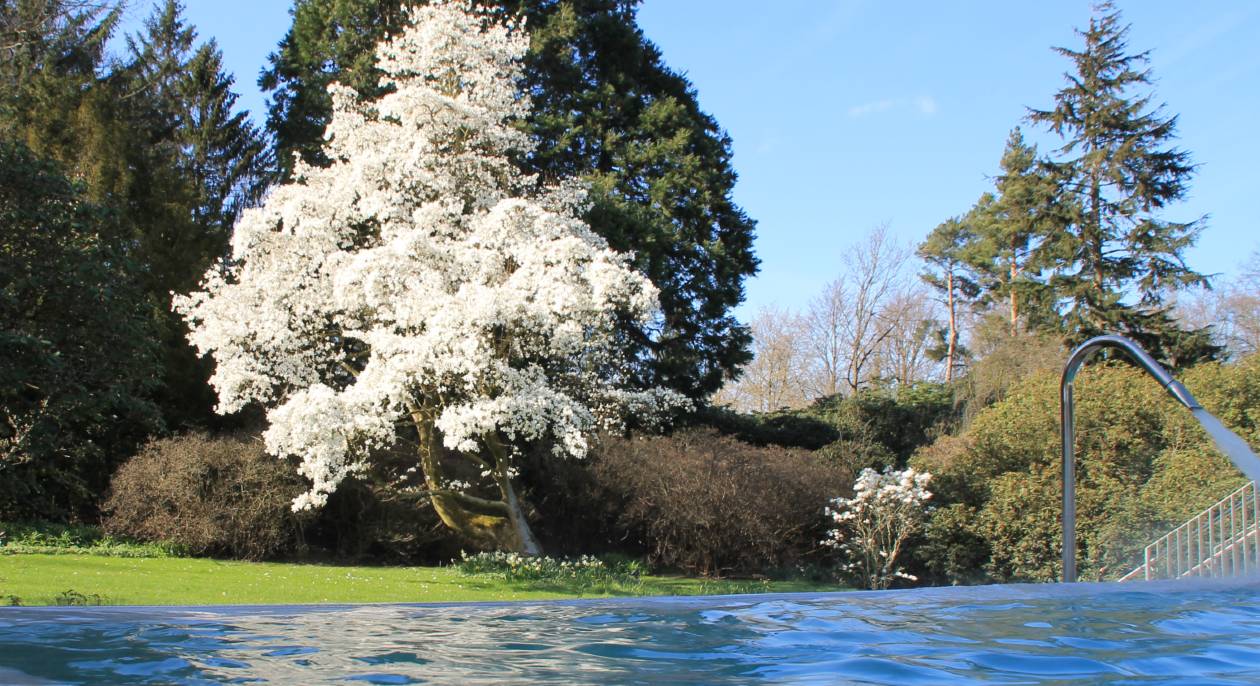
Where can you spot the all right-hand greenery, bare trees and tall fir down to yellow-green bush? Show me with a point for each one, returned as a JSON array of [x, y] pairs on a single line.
[[1069, 244]]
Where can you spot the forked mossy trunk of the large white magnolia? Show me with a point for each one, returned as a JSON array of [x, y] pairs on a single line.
[[493, 525]]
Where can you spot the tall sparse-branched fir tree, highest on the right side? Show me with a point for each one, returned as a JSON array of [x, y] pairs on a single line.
[[1118, 168]]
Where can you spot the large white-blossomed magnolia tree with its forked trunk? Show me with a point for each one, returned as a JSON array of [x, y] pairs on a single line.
[[423, 279]]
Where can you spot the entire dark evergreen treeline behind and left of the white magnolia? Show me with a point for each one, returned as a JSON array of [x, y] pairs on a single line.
[[125, 173]]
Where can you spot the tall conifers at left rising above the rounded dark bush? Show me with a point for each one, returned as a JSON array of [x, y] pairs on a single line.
[[154, 138]]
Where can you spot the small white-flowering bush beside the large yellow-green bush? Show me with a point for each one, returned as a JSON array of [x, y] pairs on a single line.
[[871, 528]]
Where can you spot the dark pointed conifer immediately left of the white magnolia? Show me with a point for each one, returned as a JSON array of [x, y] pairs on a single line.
[[198, 162]]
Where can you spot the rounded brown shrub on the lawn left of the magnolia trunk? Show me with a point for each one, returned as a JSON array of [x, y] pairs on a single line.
[[212, 496]]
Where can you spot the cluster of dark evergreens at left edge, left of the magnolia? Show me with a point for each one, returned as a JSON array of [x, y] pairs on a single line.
[[122, 178]]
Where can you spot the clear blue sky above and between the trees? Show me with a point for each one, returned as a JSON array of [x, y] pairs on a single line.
[[851, 114]]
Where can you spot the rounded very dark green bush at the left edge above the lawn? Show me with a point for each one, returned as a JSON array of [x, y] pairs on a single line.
[[76, 345]]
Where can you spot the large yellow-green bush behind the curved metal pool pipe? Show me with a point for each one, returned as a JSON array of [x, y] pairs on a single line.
[[1146, 466]]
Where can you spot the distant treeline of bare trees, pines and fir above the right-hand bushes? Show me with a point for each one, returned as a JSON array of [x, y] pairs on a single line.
[[1069, 244]]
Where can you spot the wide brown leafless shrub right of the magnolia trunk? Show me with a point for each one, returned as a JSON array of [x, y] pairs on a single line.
[[713, 505]]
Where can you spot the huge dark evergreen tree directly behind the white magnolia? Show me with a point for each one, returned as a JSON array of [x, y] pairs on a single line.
[[607, 109]]
